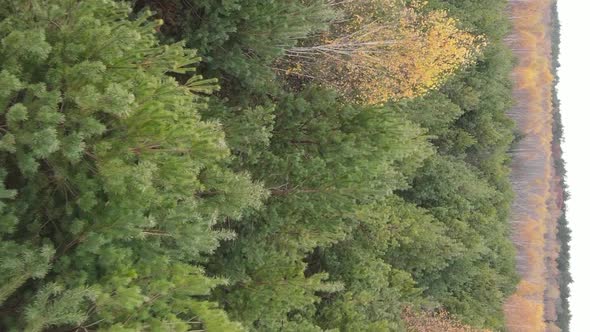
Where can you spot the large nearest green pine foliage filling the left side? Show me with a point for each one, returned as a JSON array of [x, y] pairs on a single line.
[[105, 160]]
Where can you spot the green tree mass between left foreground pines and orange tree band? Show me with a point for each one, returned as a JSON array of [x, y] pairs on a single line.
[[333, 170]]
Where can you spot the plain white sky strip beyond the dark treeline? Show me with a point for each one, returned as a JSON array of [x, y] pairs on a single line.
[[574, 92]]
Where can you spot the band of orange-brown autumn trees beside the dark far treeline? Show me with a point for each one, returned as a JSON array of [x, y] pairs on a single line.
[[536, 209]]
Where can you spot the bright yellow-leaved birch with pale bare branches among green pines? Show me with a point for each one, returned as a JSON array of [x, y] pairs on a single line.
[[383, 50]]
